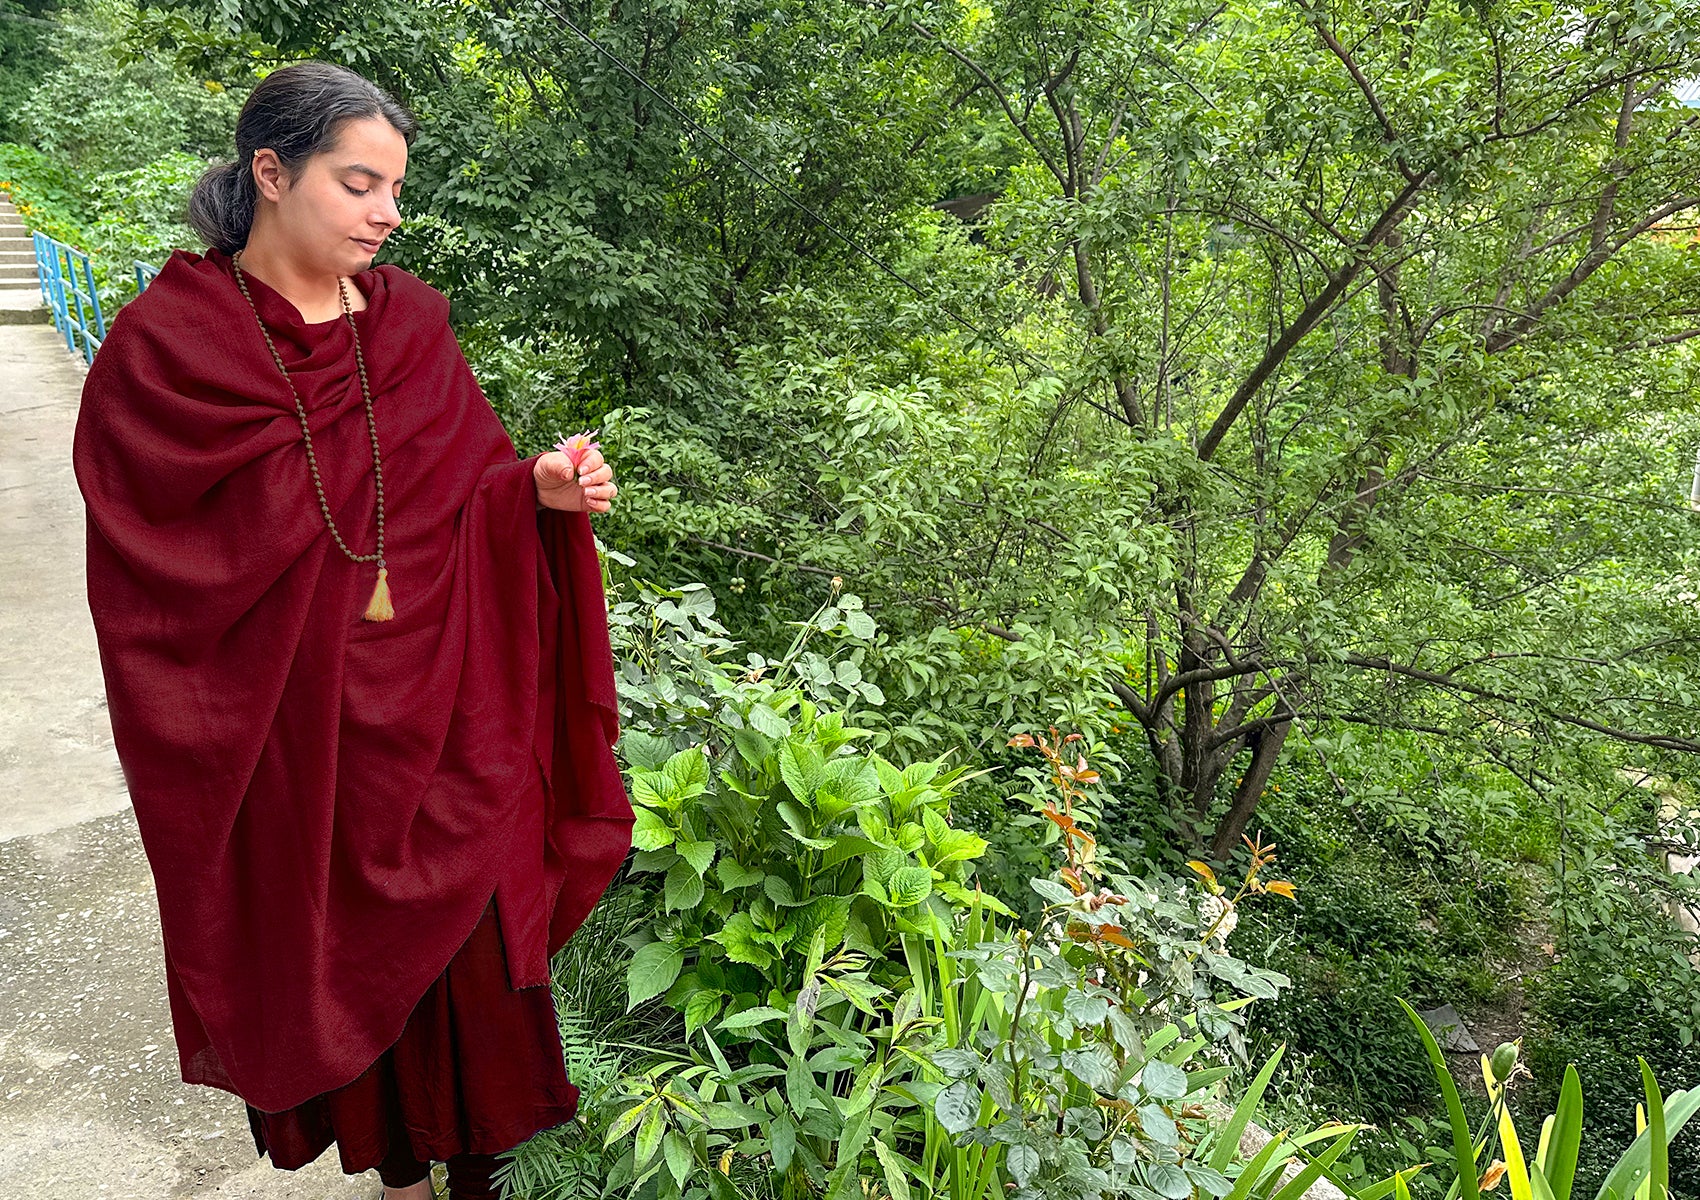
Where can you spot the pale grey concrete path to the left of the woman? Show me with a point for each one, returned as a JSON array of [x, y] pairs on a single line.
[[91, 1097]]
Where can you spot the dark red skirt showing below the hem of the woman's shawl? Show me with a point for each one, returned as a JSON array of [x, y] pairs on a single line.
[[477, 1070]]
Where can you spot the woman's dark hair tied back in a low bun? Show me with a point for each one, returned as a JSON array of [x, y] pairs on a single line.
[[297, 111]]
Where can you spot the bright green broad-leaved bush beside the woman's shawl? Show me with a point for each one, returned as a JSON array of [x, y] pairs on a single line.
[[793, 839]]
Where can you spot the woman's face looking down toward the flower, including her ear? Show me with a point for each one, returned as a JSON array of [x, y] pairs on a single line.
[[344, 203]]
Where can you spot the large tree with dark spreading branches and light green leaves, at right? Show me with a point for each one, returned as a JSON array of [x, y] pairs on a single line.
[[1391, 275]]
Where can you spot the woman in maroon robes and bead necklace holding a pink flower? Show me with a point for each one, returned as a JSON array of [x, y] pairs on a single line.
[[377, 786]]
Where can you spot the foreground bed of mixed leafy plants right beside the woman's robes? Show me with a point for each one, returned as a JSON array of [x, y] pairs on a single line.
[[853, 1007]]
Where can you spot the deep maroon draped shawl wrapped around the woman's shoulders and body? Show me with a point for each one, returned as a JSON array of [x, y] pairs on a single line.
[[346, 795]]
